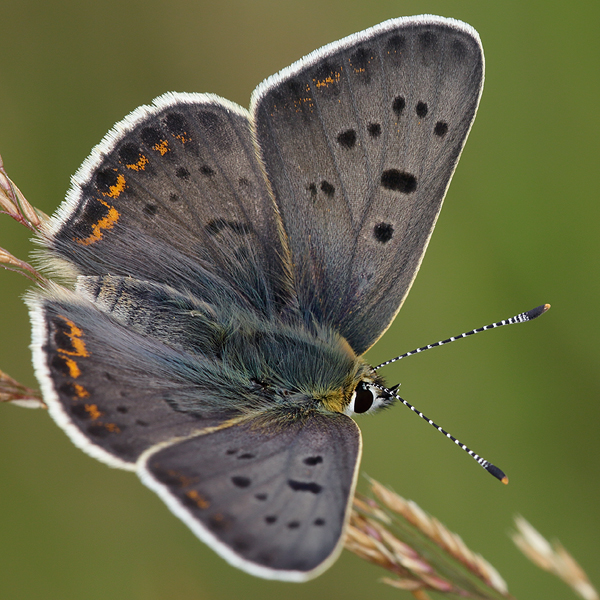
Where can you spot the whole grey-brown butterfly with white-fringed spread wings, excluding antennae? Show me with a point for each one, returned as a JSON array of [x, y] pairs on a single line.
[[226, 270]]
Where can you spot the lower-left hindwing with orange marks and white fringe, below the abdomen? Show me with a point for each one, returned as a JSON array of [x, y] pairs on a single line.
[[114, 390]]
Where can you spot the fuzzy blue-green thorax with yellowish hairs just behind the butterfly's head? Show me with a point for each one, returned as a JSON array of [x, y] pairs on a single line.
[[290, 366]]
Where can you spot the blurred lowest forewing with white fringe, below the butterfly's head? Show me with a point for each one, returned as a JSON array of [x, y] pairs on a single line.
[[271, 496]]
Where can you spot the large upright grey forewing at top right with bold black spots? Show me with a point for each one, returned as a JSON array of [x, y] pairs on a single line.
[[360, 140]]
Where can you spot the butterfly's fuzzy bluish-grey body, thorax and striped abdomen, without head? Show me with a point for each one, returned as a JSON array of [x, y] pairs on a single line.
[[231, 361]]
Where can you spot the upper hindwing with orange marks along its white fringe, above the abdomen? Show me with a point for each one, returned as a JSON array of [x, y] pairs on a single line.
[[175, 194]]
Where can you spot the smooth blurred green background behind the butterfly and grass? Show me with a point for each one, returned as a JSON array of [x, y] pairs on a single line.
[[520, 228]]
